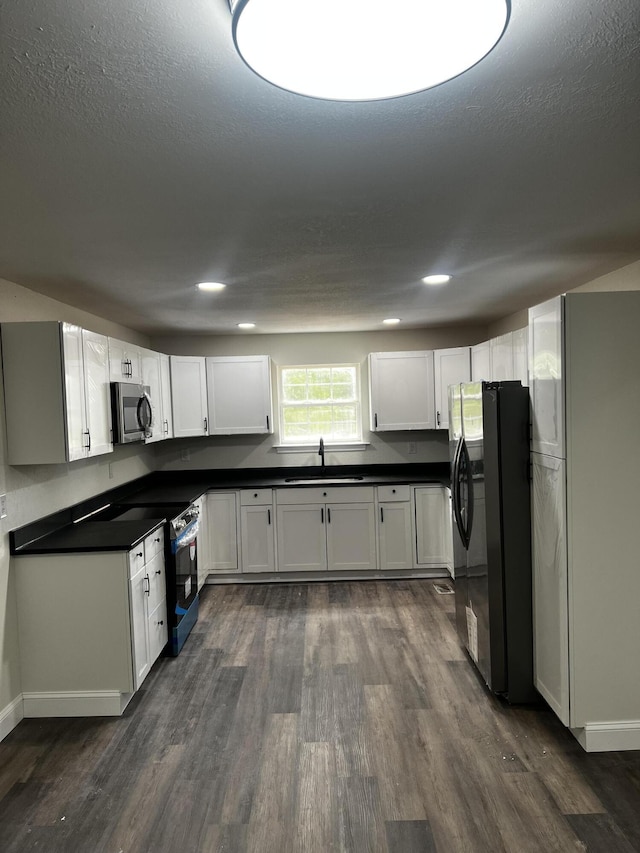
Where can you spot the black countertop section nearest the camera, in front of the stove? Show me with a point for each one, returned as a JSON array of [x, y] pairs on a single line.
[[90, 536]]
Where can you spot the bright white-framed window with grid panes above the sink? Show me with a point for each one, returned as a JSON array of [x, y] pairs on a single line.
[[320, 400]]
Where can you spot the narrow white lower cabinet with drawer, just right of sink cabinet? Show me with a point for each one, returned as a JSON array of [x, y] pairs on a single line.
[[394, 527]]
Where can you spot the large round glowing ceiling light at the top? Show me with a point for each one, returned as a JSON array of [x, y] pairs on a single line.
[[364, 50]]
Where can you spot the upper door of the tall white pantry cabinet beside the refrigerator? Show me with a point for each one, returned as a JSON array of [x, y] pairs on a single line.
[[546, 380]]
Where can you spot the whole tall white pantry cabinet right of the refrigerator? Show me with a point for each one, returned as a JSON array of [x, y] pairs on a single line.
[[585, 395]]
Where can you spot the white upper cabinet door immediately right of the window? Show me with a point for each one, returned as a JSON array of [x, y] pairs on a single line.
[[401, 394]]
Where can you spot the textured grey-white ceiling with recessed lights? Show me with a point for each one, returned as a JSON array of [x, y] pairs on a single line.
[[139, 155]]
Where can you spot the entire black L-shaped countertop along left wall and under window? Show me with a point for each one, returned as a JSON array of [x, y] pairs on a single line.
[[168, 490]]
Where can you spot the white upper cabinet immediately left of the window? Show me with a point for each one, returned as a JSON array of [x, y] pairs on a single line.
[[239, 394]]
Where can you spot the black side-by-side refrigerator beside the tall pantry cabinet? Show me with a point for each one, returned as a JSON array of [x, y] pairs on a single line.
[[490, 491]]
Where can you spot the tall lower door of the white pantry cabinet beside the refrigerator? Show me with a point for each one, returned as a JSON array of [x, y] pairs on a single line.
[[550, 583]]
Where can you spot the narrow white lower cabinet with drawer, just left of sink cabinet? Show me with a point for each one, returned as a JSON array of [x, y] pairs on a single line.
[[257, 531]]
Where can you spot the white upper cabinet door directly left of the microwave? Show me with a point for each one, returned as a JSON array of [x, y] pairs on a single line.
[[95, 354]]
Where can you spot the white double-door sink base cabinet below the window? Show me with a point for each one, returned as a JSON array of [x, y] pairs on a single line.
[[326, 529]]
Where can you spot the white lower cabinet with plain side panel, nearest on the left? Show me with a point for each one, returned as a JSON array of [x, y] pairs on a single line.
[[91, 626]]
